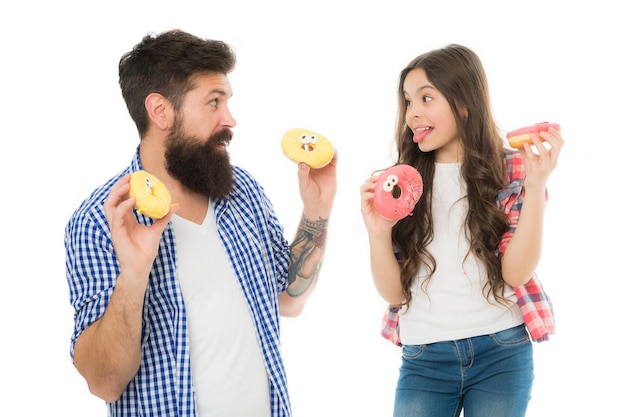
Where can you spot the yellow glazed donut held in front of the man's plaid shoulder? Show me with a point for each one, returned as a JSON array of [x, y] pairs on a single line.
[[151, 196]]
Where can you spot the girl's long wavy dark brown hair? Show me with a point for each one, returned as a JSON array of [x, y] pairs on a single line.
[[458, 74]]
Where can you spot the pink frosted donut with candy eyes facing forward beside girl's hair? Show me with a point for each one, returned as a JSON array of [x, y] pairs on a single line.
[[397, 191]]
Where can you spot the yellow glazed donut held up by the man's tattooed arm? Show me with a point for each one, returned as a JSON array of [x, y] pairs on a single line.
[[303, 145]]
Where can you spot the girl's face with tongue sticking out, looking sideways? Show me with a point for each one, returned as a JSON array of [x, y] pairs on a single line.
[[430, 118]]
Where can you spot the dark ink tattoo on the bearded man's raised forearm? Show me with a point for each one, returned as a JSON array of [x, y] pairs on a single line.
[[307, 250]]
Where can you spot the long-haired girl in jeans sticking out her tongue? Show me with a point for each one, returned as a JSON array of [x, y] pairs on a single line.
[[459, 272]]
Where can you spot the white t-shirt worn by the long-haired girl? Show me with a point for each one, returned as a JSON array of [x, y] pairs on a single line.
[[453, 306]]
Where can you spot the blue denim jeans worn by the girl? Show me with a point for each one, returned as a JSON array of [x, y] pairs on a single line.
[[485, 376]]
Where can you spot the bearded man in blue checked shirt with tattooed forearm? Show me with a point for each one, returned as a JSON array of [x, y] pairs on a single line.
[[180, 316]]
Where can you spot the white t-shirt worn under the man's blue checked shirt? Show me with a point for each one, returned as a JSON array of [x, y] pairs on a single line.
[[228, 370]]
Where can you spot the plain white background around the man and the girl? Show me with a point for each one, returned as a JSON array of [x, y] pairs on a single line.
[[330, 67]]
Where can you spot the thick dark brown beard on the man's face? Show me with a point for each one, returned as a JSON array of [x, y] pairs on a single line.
[[199, 165]]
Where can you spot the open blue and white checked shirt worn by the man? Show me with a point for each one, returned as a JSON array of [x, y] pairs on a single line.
[[259, 253]]
